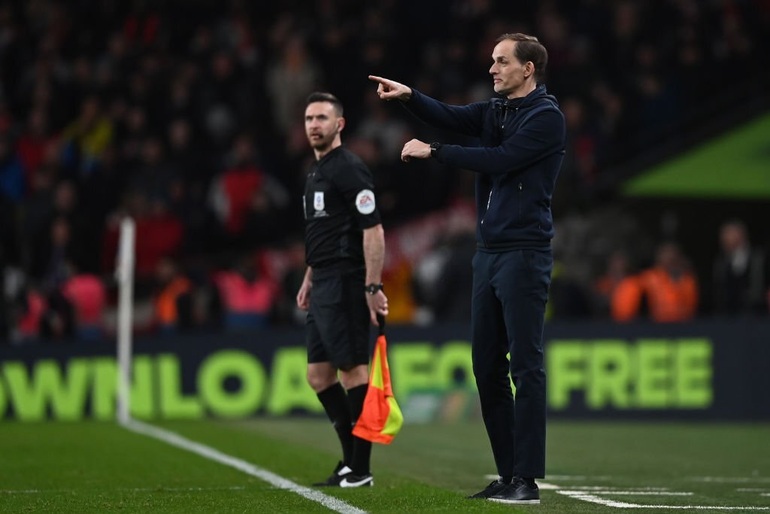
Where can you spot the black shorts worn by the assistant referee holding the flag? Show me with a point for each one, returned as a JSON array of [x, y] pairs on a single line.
[[337, 329]]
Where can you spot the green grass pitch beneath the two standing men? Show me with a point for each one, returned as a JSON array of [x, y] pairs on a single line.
[[593, 467]]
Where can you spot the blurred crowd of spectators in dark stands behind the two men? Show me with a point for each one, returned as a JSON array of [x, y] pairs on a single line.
[[187, 116]]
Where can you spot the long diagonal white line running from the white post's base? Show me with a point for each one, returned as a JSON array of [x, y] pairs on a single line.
[[177, 440]]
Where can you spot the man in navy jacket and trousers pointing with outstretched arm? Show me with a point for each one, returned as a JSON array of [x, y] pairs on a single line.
[[521, 147]]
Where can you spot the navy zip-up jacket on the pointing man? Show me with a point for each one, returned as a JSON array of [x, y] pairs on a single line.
[[521, 148]]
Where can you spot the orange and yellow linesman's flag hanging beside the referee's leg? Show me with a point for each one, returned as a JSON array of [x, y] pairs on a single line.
[[381, 417]]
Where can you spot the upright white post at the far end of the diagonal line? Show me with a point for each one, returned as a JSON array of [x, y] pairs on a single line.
[[125, 279]]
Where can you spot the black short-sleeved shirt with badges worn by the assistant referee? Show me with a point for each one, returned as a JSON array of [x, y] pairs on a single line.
[[339, 204]]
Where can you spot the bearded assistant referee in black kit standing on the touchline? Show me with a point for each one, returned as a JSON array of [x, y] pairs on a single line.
[[344, 251]]
